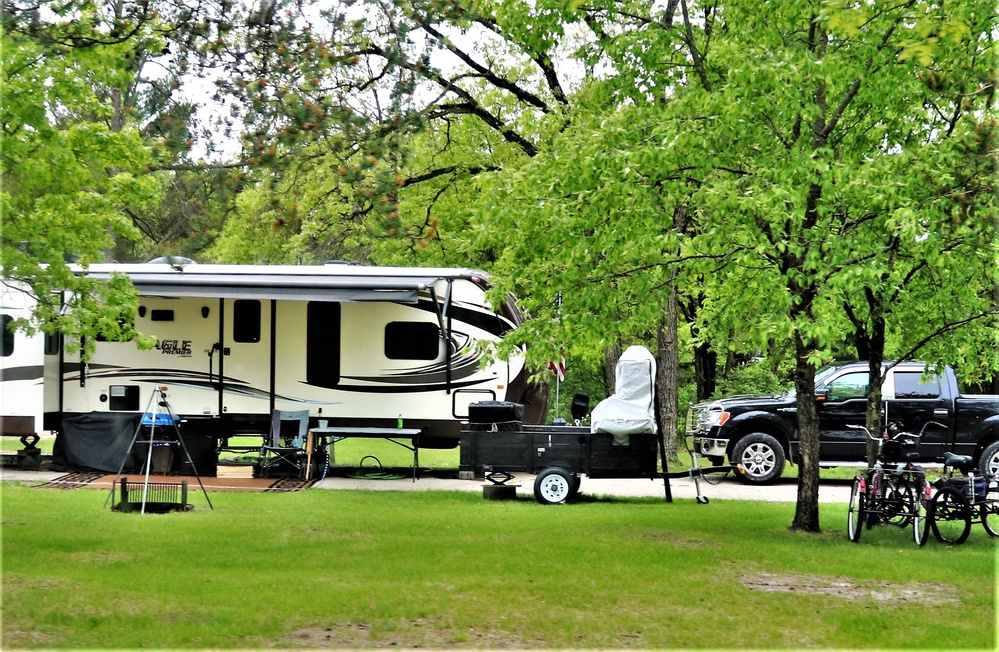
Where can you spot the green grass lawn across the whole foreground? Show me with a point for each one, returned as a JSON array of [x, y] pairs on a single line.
[[361, 569]]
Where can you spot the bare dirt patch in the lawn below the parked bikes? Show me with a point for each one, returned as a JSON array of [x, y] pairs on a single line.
[[926, 593]]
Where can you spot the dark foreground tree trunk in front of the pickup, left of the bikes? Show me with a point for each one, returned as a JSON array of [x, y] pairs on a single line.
[[806, 512]]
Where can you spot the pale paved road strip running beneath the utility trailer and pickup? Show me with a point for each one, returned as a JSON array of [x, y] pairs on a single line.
[[830, 491]]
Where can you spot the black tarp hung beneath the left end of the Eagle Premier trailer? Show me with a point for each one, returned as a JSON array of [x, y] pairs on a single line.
[[99, 442]]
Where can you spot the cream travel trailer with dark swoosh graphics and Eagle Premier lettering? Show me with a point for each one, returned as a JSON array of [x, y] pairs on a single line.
[[353, 345]]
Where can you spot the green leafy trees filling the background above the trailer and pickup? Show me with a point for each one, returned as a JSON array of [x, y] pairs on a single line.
[[713, 179]]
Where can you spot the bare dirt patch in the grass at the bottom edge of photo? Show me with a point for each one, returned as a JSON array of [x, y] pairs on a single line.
[[406, 633]]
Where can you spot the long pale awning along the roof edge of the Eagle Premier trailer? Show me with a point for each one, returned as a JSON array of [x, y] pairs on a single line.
[[339, 288]]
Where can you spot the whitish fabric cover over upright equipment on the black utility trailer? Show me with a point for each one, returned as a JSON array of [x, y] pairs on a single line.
[[631, 409]]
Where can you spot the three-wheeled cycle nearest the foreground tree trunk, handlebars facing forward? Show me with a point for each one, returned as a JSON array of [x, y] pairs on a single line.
[[892, 496]]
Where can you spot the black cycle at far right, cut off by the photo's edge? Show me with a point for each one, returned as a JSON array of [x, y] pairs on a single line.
[[959, 500]]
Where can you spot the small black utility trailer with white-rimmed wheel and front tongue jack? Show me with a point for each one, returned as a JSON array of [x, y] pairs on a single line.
[[559, 455]]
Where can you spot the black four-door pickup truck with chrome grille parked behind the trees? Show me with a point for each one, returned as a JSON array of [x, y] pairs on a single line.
[[761, 432]]
